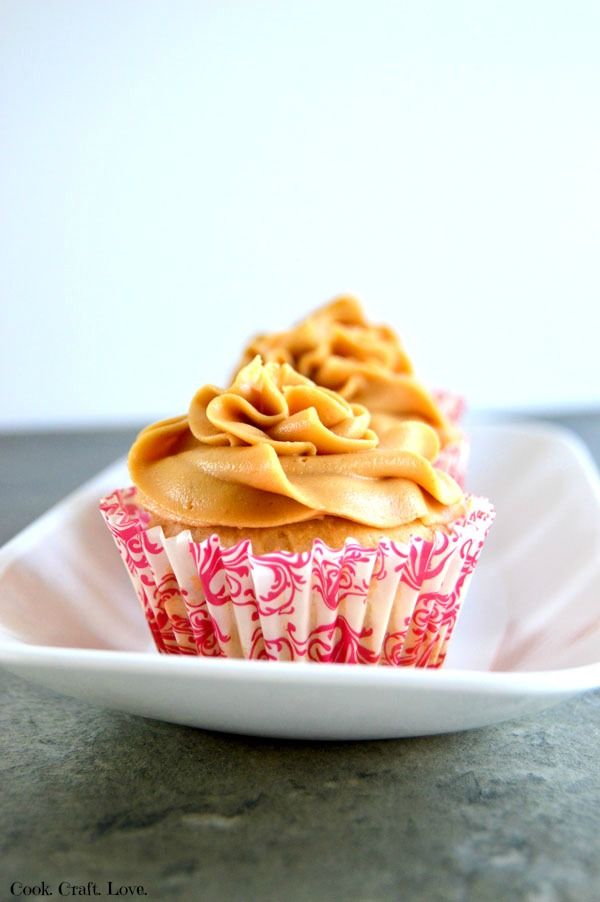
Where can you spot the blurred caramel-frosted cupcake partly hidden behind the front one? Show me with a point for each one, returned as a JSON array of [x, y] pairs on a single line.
[[338, 348]]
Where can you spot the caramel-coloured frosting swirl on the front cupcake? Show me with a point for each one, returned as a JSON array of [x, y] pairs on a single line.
[[274, 448]]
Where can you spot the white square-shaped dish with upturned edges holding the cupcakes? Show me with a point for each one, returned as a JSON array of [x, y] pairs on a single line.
[[529, 634]]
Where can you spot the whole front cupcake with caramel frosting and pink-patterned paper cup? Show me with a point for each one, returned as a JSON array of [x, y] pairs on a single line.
[[272, 521]]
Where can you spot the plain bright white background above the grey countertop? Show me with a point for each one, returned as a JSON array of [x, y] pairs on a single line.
[[175, 176]]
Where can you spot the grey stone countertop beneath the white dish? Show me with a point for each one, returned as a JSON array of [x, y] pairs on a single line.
[[504, 813]]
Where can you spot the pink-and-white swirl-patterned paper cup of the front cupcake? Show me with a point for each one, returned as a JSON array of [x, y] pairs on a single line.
[[396, 604]]
